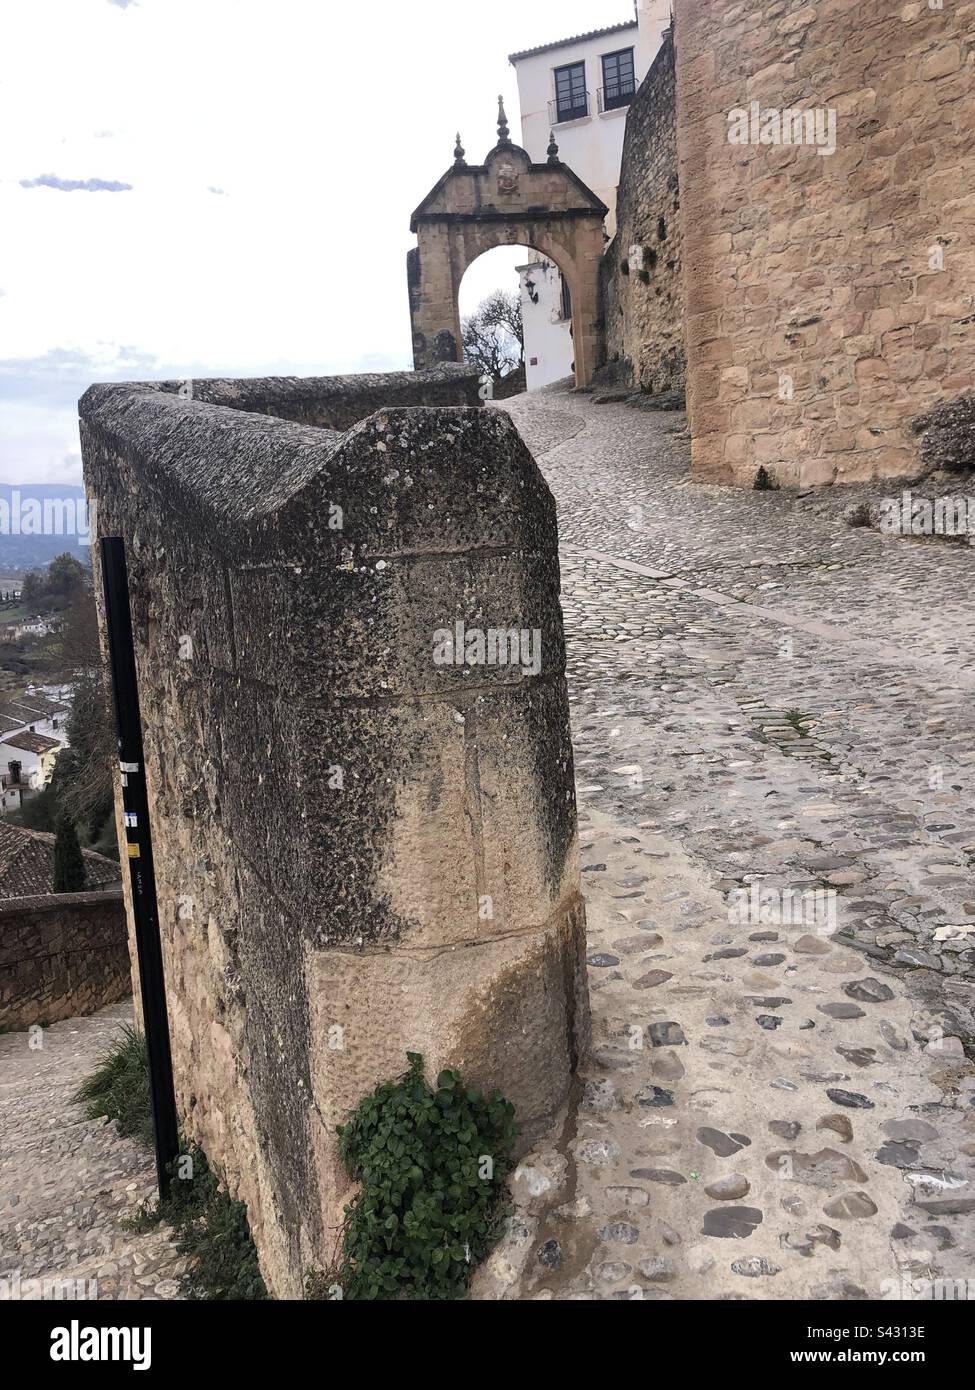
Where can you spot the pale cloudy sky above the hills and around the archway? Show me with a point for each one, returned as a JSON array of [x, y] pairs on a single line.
[[225, 187]]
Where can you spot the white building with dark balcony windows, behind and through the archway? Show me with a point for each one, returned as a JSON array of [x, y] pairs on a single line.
[[579, 91]]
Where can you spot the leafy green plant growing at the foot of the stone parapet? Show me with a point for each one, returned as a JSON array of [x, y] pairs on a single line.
[[433, 1167]]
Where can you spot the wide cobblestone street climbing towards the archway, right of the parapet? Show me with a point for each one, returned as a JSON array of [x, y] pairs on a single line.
[[780, 1104]]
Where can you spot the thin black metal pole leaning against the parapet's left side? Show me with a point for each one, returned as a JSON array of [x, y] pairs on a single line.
[[140, 849]]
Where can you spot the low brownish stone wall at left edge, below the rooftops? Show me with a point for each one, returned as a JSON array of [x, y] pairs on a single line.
[[61, 956]]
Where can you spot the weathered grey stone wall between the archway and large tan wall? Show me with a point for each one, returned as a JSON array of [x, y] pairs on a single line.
[[642, 300]]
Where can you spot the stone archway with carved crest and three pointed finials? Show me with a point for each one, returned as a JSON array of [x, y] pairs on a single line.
[[506, 202]]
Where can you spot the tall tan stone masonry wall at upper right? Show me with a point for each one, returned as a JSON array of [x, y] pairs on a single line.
[[821, 272]]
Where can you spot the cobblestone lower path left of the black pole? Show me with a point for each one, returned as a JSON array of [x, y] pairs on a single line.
[[67, 1184]]
